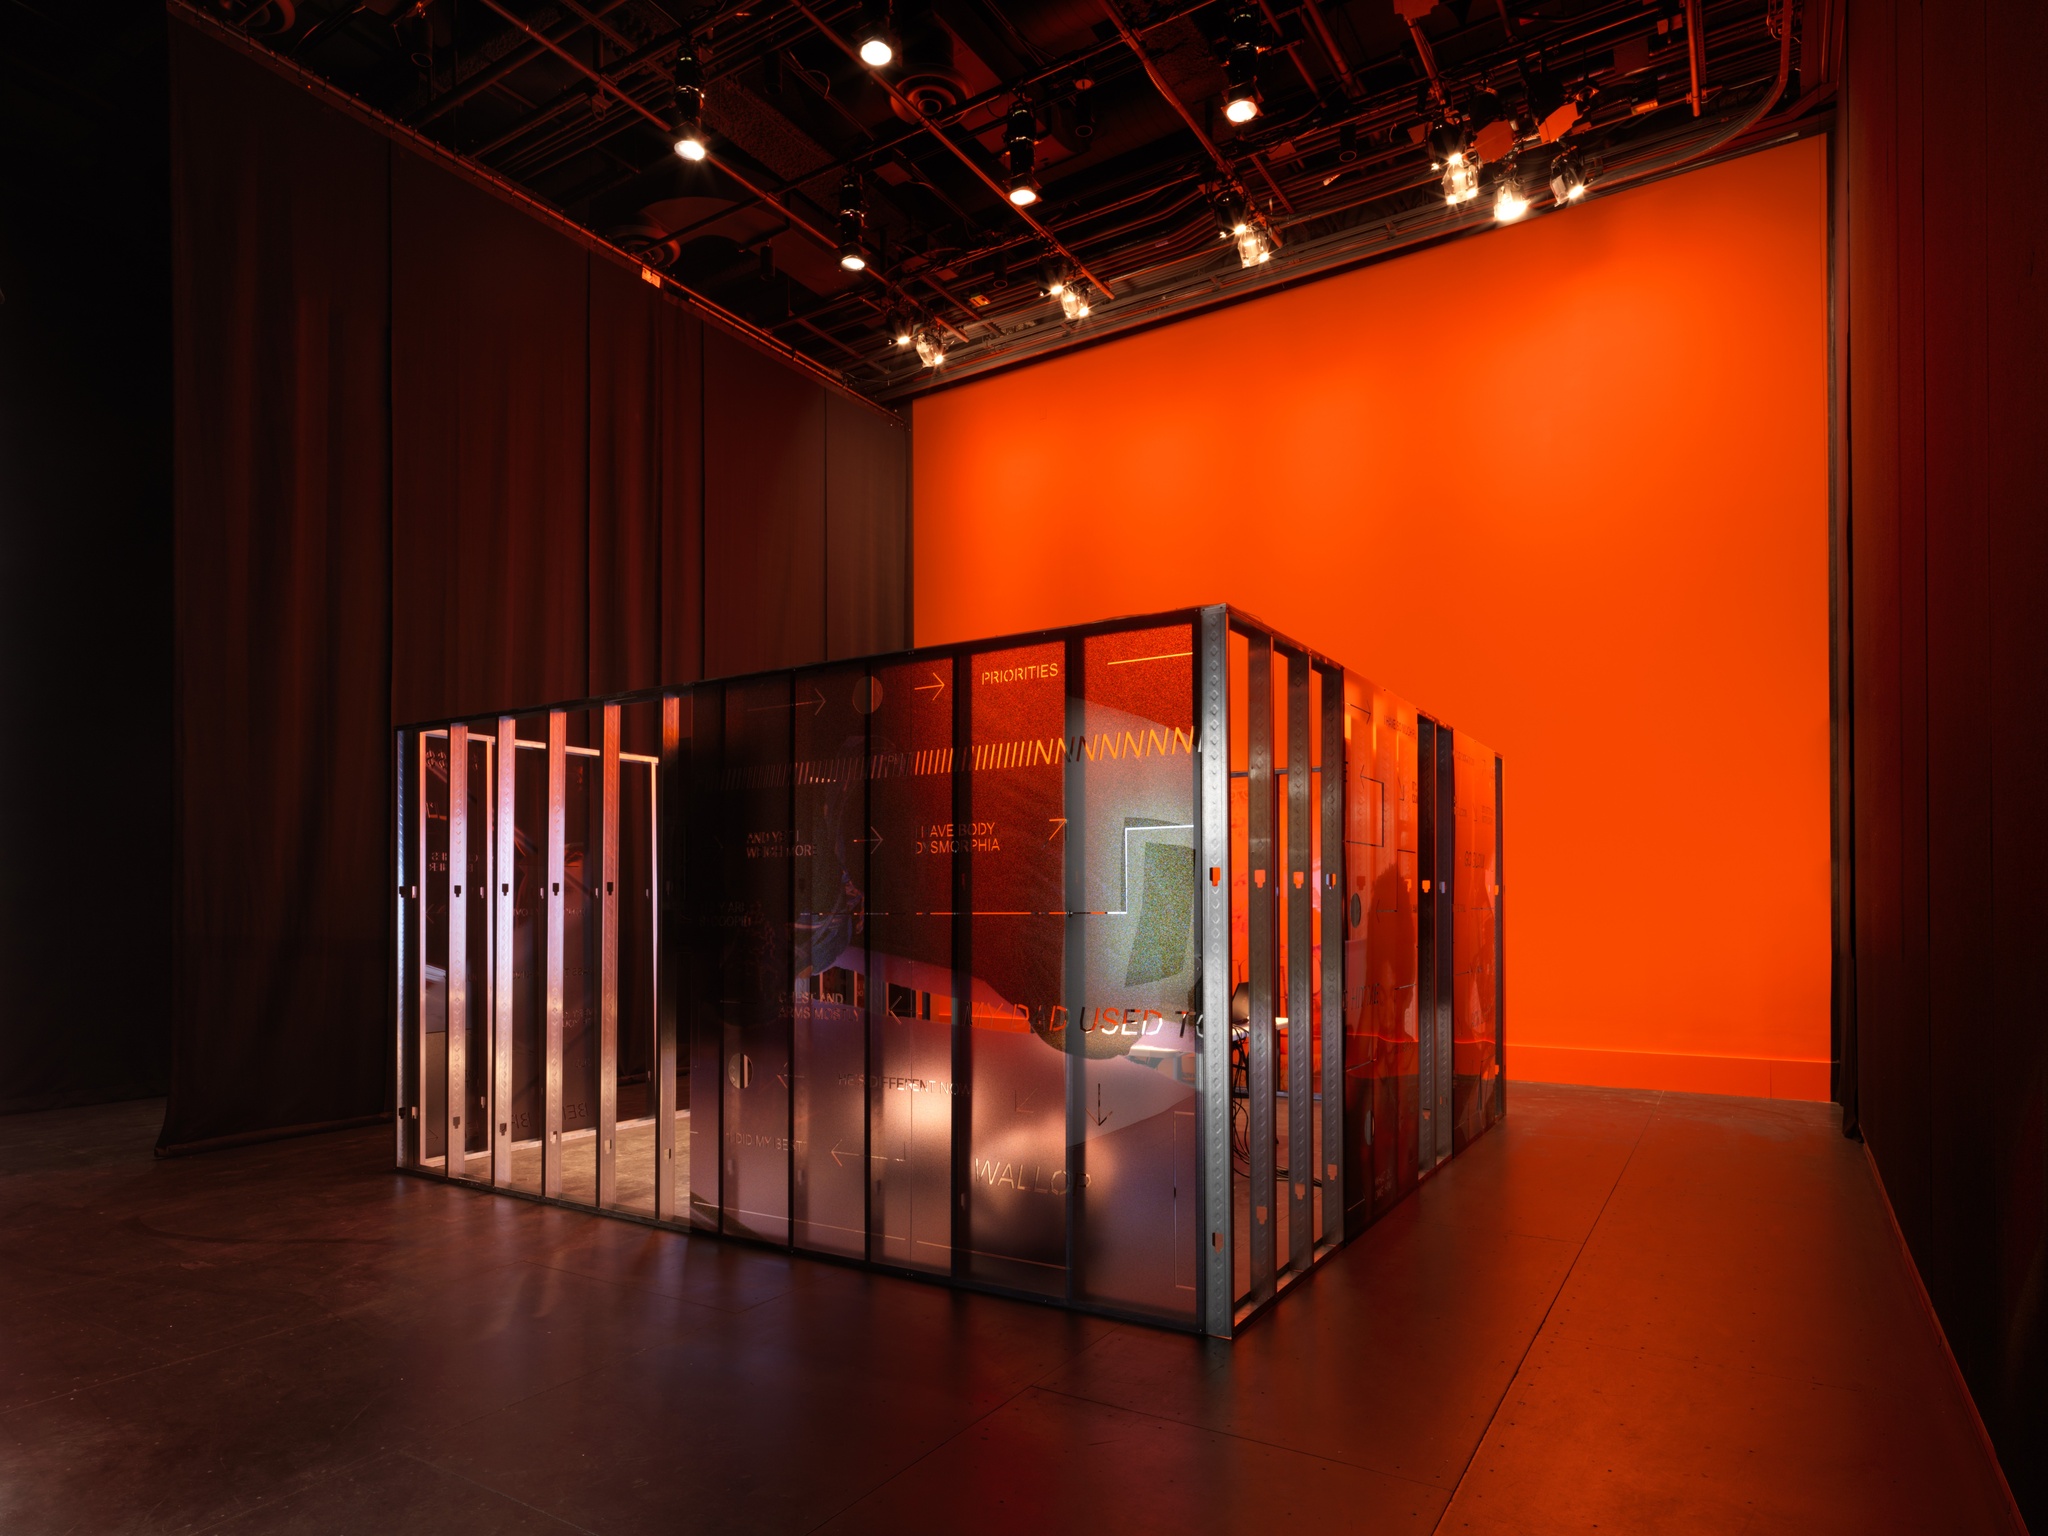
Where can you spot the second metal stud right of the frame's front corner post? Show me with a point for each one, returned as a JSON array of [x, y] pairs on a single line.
[[1299, 972]]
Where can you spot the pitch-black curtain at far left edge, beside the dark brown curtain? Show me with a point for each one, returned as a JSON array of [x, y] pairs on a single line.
[[85, 556]]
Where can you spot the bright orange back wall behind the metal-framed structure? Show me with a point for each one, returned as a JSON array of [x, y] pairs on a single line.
[[1564, 486]]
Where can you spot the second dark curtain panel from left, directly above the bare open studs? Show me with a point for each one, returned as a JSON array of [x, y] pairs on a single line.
[[490, 581]]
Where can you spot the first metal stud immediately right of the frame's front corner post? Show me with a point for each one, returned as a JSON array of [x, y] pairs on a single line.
[[1265, 933]]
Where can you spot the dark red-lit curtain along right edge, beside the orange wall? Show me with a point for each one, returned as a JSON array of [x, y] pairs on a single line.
[[1940, 273]]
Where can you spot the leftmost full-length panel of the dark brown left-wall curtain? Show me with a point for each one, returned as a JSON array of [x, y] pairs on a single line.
[[282, 579]]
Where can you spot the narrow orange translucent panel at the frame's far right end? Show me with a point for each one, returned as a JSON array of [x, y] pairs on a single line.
[[1476, 902]]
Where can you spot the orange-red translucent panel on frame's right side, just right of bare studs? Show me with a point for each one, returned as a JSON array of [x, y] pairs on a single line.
[[1383, 1007]]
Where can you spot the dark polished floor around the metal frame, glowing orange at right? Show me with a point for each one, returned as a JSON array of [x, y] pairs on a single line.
[[1621, 1312]]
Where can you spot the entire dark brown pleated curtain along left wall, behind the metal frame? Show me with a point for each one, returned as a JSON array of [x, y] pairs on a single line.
[[439, 456]]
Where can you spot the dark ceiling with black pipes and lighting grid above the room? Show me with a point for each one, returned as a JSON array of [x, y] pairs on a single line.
[[577, 101]]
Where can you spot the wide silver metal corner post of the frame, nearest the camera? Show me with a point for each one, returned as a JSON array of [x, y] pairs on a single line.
[[1213, 1025]]
